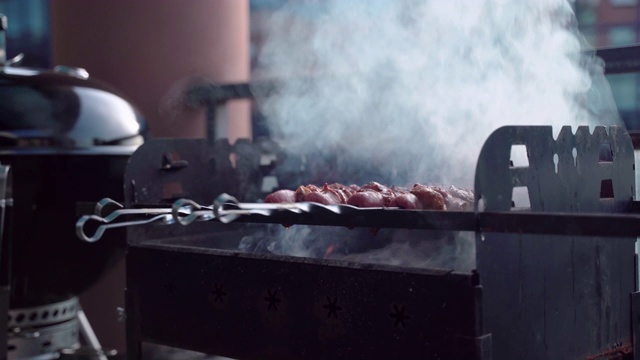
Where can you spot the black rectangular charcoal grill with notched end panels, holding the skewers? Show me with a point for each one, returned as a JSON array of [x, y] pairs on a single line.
[[555, 280]]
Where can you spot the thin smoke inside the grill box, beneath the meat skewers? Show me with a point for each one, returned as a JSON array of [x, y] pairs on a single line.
[[398, 247]]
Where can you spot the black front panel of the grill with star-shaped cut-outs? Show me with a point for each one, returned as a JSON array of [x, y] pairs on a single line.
[[266, 307]]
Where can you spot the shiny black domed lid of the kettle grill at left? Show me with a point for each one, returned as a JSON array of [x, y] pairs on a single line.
[[62, 109]]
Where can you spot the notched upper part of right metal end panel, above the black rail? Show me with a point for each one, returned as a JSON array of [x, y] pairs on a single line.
[[570, 183]]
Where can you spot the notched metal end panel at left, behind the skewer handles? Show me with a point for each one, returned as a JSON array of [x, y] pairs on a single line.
[[163, 170]]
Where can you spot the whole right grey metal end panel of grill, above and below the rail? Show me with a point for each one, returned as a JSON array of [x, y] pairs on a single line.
[[554, 297]]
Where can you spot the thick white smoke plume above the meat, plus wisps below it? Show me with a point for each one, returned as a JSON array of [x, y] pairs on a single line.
[[408, 91]]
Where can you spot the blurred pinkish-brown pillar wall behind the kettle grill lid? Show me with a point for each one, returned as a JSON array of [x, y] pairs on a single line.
[[150, 49]]
